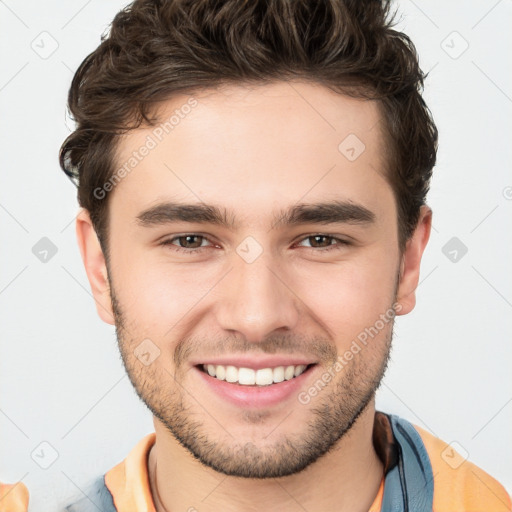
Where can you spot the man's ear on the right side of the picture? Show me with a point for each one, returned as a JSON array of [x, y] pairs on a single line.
[[410, 263]]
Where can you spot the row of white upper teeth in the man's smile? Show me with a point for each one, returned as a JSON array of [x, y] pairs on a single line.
[[249, 377]]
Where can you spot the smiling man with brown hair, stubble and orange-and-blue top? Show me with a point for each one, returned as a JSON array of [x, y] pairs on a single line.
[[253, 178]]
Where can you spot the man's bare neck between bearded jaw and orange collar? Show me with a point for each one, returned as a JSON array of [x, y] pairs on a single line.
[[347, 478]]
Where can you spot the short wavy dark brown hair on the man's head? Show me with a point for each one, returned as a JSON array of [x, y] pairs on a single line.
[[158, 48]]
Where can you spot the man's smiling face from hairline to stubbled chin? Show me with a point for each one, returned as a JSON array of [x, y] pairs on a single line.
[[254, 268]]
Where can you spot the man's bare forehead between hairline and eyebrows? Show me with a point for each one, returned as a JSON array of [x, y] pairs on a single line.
[[247, 146]]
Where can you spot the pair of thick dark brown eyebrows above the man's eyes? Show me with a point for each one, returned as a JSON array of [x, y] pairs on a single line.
[[329, 212]]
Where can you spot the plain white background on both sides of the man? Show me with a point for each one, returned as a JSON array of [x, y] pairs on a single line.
[[61, 378]]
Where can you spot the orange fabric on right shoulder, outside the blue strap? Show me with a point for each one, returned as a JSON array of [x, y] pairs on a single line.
[[460, 485]]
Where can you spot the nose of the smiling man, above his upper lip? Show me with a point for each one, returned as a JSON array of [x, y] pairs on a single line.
[[256, 300]]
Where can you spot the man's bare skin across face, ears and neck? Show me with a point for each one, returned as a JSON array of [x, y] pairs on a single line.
[[255, 150]]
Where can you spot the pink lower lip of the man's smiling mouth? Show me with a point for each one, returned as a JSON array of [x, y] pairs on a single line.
[[255, 396]]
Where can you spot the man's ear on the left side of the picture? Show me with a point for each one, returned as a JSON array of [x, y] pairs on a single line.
[[95, 265]]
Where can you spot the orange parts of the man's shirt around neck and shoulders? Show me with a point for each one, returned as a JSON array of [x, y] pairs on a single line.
[[461, 487]]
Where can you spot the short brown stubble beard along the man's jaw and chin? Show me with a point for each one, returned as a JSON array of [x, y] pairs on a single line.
[[333, 412]]
